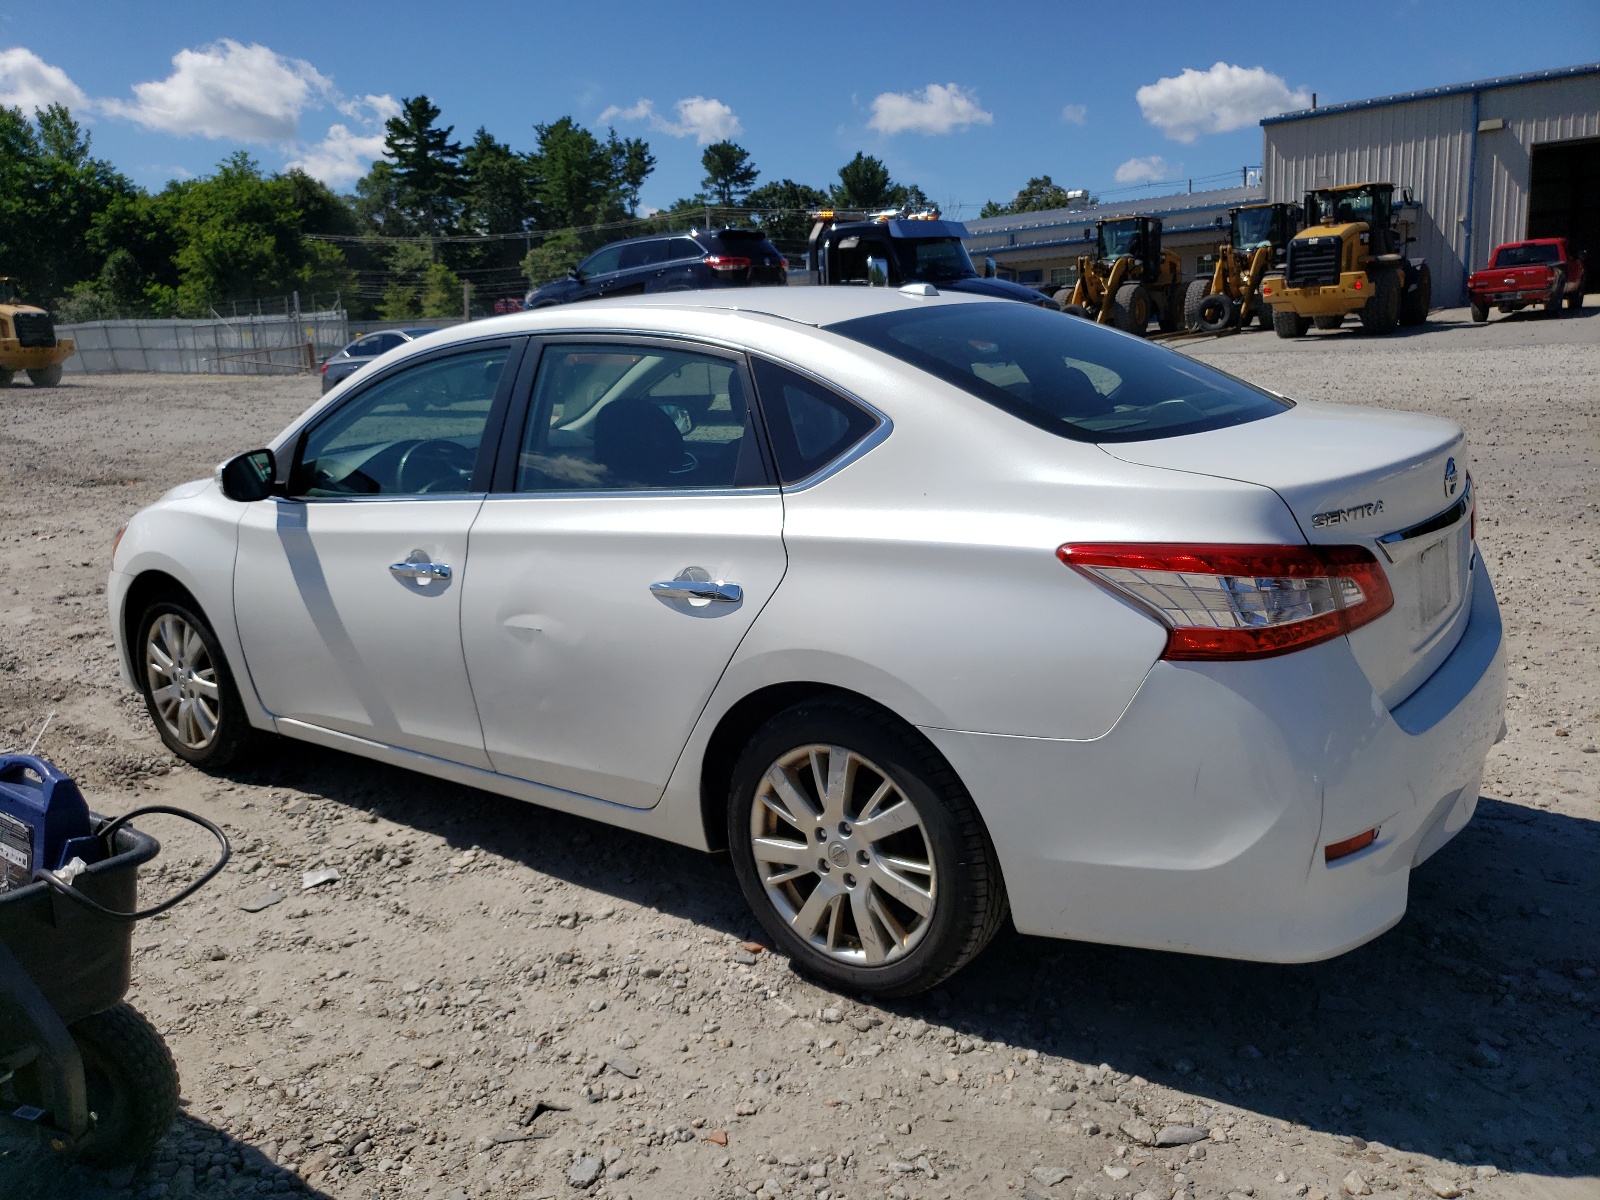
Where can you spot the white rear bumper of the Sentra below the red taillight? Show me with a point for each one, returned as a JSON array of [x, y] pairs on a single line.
[[1198, 823]]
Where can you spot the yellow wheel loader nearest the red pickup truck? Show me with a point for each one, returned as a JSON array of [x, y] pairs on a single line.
[[1350, 260]]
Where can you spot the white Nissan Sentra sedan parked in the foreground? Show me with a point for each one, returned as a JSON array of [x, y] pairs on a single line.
[[927, 609]]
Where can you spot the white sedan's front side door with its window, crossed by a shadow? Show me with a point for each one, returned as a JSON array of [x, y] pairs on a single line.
[[348, 591]]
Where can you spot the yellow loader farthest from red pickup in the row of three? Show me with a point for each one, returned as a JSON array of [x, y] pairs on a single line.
[[1129, 279]]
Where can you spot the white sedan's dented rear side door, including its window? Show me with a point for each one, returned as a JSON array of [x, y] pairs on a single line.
[[631, 542]]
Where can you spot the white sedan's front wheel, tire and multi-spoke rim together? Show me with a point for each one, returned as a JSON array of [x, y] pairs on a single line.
[[188, 689]]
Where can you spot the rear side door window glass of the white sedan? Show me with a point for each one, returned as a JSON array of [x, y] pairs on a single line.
[[631, 417]]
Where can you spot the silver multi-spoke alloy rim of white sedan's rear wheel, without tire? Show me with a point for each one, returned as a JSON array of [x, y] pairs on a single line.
[[844, 855]]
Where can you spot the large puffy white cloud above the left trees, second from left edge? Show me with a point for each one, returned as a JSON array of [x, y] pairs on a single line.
[[230, 90]]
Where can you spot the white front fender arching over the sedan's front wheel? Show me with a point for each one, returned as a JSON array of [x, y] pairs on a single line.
[[193, 537]]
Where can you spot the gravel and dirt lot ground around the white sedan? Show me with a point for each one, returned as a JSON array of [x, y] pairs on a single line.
[[396, 1034]]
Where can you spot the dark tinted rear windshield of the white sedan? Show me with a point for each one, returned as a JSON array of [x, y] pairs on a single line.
[[1065, 374]]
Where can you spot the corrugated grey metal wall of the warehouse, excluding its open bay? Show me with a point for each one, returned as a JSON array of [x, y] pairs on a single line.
[[1426, 145]]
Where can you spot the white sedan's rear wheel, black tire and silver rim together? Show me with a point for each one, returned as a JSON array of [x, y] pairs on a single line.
[[860, 850]]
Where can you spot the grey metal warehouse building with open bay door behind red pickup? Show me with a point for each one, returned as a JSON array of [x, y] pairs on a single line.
[[1489, 162]]
